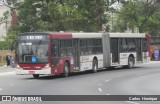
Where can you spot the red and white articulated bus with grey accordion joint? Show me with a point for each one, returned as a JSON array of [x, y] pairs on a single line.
[[47, 53]]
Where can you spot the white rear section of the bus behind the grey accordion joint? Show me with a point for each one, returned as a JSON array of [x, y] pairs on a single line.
[[128, 49]]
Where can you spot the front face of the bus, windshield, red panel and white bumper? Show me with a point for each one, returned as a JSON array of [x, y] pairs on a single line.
[[32, 55]]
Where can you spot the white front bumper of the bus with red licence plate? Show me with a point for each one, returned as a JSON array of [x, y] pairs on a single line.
[[28, 72]]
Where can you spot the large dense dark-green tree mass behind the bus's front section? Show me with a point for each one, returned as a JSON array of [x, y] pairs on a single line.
[[61, 15]]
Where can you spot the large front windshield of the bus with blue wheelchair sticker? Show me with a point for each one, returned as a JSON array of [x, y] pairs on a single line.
[[32, 51]]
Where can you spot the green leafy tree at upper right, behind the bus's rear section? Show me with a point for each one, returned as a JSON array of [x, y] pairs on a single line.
[[138, 14]]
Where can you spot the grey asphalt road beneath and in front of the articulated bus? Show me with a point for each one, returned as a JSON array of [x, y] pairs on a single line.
[[142, 80]]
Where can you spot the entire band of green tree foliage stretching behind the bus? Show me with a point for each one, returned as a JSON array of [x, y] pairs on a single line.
[[85, 15]]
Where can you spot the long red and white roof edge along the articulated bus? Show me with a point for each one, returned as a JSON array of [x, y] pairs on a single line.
[[86, 35]]
